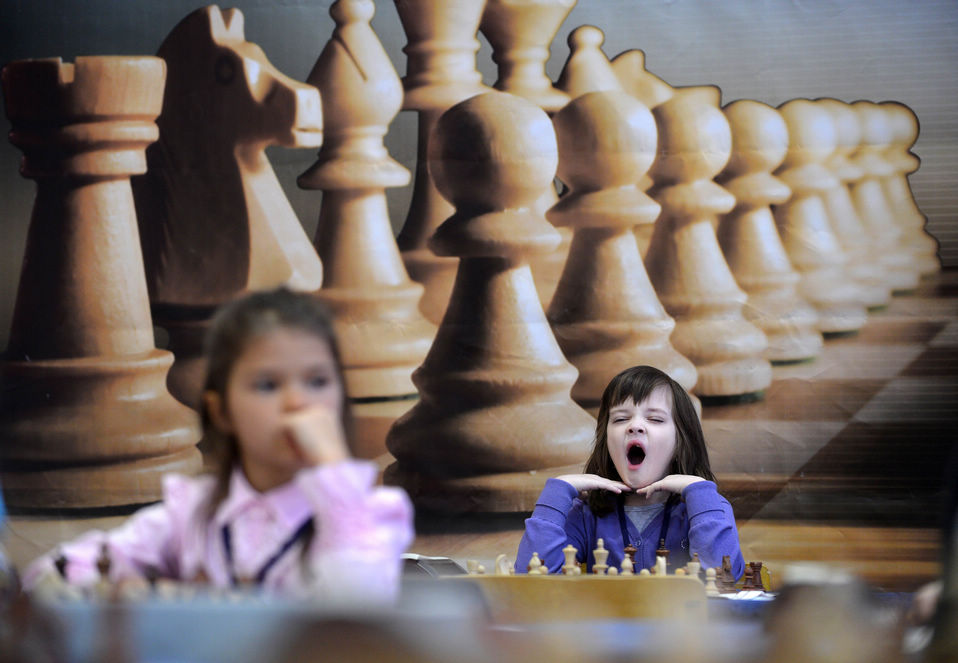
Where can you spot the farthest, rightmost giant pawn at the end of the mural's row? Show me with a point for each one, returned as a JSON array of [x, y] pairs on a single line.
[[904, 133]]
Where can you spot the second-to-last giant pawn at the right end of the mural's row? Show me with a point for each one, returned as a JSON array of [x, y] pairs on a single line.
[[872, 202]]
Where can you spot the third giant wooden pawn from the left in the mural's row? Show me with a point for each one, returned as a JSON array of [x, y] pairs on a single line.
[[684, 260]]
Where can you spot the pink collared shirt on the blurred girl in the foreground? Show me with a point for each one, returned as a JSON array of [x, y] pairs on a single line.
[[361, 530]]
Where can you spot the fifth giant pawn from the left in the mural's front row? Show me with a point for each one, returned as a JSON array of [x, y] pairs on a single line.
[[803, 222]]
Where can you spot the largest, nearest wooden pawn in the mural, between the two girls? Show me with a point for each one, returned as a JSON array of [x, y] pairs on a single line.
[[495, 414]]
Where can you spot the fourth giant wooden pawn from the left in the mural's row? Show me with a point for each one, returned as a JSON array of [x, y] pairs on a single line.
[[749, 238]]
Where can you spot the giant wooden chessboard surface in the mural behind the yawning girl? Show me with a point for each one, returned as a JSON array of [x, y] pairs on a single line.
[[845, 461]]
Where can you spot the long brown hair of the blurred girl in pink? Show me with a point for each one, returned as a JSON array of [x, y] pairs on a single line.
[[234, 326]]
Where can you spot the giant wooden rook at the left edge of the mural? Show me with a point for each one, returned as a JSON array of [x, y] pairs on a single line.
[[86, 419]]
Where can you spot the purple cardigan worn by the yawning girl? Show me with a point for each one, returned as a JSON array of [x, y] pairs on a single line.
[[702, 522]]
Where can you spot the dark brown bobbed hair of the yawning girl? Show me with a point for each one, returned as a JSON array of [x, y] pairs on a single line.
[[636, 383]]
